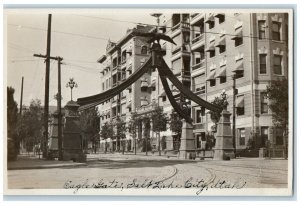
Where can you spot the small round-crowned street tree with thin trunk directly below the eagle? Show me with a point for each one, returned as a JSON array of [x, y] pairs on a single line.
[[159, 122]]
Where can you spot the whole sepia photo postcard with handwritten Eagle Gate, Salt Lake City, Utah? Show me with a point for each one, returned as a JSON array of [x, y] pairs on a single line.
[[148, 102]]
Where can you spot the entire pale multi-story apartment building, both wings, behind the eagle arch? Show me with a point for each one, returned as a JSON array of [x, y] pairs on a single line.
[[214, 51]]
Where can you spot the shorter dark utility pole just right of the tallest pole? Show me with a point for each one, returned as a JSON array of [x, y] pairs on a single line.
[[60, 153]]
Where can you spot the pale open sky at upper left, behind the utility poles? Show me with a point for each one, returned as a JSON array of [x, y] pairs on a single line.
[[78, 36]]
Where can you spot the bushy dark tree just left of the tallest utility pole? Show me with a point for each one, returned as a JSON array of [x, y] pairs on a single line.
[[32, 125]]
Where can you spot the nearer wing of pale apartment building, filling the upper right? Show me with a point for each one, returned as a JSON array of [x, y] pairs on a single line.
[[250, 49]]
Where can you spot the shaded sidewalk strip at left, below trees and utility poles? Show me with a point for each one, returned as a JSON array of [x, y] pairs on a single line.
[[33, 162]]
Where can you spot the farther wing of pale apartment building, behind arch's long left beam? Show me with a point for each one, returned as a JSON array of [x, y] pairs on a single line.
[[120, 61]]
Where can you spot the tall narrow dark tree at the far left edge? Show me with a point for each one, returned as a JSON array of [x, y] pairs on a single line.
[[13, 140]]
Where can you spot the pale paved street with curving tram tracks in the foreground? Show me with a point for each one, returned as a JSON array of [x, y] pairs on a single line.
[[116, 170]]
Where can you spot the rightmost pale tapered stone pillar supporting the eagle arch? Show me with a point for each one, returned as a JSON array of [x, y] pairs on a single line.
[[224, 143]]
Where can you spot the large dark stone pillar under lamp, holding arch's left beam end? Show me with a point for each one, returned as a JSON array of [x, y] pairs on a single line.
[[72, 139]]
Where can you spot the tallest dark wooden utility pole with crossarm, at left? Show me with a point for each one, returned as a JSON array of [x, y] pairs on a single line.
[[46, 102]]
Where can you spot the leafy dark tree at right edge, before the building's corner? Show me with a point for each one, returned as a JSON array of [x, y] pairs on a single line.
[[277, 93]]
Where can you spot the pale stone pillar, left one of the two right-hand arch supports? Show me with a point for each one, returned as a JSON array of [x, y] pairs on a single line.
[[187, 144]]
